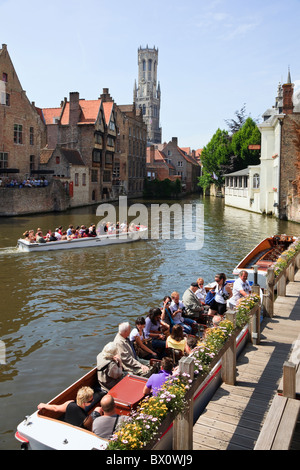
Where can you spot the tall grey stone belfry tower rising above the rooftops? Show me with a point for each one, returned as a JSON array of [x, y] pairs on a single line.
[[146, 95]]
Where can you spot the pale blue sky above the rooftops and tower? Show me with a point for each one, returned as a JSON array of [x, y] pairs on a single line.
[[214, 56]]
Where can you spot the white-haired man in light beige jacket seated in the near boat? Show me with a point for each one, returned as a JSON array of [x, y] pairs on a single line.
[[126, 352]]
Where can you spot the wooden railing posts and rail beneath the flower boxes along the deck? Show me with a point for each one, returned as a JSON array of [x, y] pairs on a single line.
[[183, 423]]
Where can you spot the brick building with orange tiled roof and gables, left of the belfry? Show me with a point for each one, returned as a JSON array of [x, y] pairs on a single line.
[[88, 126]]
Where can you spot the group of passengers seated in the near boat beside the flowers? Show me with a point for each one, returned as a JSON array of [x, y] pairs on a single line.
[[151, 349]]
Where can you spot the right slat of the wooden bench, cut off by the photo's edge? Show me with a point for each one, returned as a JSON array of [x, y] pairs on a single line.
[[287, 426]]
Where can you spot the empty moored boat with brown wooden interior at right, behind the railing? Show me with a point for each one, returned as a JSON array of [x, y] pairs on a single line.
[[264, 255]]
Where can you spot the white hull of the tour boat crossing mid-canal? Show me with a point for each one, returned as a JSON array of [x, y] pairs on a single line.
[[86, 242]]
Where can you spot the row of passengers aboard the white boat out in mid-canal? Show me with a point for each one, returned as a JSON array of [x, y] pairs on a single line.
[[80, 231]]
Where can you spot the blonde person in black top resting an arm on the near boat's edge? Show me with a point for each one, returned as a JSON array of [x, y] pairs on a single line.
[[75, 412]]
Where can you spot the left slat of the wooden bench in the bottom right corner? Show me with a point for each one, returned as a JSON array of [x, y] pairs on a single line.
[[269, 429]]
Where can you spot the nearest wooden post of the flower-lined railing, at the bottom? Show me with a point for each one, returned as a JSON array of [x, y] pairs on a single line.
[[183, 423]]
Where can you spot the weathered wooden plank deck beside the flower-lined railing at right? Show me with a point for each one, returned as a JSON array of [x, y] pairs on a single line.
[[235, 415]]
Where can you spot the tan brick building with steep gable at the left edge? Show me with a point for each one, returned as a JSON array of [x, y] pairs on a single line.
[[22, 131]]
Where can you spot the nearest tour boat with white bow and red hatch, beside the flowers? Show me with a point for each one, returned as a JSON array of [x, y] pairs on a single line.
[[46, 429]]
